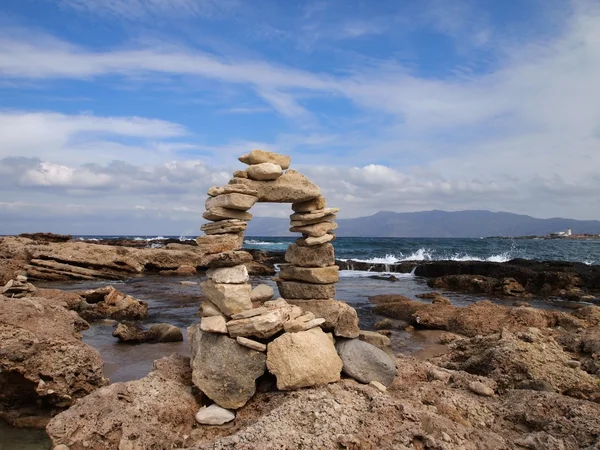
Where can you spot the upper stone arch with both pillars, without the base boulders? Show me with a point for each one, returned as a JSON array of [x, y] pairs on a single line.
[[310, 275]]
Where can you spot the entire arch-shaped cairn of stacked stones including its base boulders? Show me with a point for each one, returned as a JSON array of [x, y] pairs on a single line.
[[306, 337]]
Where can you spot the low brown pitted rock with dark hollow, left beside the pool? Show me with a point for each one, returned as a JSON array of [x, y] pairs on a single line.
[[109, 303]]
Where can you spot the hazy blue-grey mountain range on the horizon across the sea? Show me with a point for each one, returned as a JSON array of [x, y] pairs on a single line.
[[436, 224]]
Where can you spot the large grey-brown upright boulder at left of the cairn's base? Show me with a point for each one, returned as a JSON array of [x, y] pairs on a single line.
[[224, 370]]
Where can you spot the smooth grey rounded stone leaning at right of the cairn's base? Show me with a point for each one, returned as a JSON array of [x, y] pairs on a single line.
[[365, 362]]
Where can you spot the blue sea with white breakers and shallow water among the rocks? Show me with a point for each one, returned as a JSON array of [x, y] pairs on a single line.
[[174, 302]]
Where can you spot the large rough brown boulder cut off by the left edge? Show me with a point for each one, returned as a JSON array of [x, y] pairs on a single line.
[[42, 358]]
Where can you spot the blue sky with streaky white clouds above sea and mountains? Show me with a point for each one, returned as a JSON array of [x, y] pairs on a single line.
[[117, 115]]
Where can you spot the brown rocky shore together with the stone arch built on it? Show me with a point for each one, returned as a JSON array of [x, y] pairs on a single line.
[[299, 371]]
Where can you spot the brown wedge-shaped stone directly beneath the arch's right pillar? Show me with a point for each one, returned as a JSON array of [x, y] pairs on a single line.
[[340, 317]]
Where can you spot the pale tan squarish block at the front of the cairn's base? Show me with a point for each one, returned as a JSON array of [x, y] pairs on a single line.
[[303, 359]]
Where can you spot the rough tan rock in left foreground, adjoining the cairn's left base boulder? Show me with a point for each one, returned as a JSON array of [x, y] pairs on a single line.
[[152, 413]]
